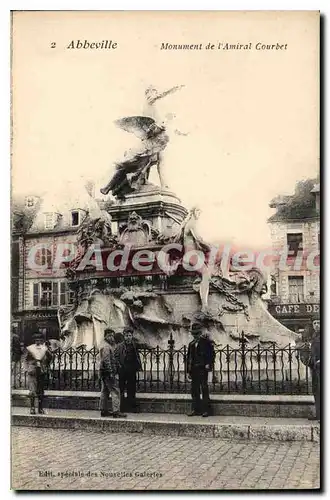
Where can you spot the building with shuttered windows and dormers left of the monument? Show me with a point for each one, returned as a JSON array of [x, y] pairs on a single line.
[[37, 292]]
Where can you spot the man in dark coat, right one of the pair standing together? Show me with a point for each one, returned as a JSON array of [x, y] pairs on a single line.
[[129, 363]]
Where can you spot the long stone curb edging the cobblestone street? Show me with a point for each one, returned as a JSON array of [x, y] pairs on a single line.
[[255, 432]]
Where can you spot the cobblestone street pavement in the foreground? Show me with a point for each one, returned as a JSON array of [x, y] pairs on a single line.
[[48, 459]]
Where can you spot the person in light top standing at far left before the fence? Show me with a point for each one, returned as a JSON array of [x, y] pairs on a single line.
[[37, 358]]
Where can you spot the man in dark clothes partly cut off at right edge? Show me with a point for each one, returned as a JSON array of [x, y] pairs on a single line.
[[315, 366]]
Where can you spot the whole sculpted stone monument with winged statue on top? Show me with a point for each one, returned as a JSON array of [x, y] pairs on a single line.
[[160, 297]]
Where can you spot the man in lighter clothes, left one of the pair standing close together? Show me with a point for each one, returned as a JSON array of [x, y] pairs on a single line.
[[109, 378]]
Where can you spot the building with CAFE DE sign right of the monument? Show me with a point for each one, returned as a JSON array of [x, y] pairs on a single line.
[[295, 233]]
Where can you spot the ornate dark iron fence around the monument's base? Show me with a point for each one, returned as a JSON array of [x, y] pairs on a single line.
[[242, 370]]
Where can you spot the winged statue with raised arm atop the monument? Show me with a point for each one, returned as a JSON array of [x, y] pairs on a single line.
[[133, 171]]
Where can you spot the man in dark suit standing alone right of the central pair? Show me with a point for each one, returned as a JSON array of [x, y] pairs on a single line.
[[200, 359]]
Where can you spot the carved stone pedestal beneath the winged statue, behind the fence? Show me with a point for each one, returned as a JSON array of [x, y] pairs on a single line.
[[156, 301]]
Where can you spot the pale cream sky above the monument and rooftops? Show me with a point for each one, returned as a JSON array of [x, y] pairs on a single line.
[[251, 116]]
